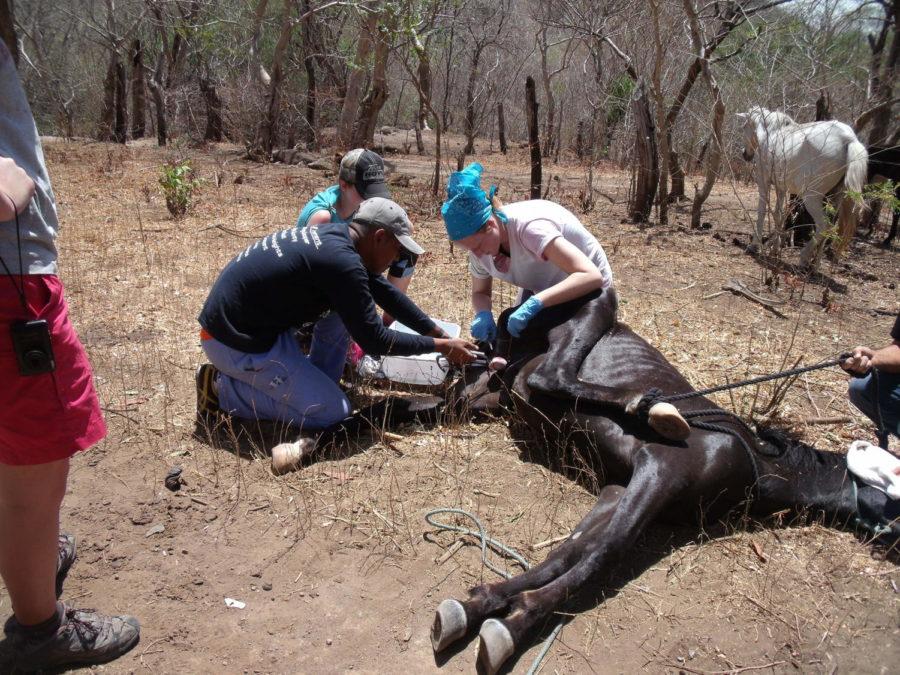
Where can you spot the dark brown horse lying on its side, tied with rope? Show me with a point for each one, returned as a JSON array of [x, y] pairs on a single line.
[[576, 385]]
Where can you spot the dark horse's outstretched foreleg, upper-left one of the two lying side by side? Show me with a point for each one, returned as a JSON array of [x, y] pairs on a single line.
[[453, 618]]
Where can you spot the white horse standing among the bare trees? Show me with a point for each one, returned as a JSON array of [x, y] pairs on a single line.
[[809, 160]]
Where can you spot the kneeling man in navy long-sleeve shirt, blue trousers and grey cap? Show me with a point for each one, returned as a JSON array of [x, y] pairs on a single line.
[[329, 274]]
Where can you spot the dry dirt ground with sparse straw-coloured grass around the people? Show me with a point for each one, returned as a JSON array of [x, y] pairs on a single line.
[[335, 563]]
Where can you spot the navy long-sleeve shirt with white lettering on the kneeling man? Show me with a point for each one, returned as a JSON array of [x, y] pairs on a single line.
[[296, 276]]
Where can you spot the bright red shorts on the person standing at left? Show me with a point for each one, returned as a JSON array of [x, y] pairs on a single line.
[[44, 418]]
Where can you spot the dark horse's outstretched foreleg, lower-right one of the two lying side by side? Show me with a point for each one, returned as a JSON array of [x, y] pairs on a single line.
[[657, 481]]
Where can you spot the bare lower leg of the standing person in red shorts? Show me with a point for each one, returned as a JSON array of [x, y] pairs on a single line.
[[30, 498]]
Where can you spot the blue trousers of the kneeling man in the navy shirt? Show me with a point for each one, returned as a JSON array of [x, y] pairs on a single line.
[[284, 384]]
